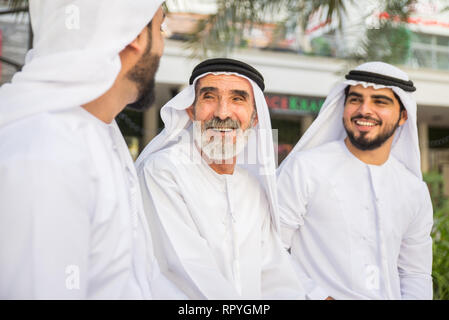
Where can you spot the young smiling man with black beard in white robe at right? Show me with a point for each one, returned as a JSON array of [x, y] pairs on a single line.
[[354, 209]]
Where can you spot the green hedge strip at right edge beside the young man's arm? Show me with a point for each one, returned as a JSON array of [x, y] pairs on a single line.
[[440, 236]]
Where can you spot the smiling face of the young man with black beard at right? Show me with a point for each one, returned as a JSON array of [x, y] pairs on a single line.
[[371, 116]]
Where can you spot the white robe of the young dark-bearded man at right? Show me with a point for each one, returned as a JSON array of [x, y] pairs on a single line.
[[356, 231]]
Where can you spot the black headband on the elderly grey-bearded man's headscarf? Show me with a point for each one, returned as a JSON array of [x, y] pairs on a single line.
[[228, 65]]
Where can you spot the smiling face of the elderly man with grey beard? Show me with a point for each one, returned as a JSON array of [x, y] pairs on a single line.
[[223, 110]]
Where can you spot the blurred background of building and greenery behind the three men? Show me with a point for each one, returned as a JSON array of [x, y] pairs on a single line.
[[302, 48]]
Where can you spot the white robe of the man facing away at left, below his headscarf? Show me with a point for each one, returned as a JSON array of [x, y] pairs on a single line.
[[71, 219]]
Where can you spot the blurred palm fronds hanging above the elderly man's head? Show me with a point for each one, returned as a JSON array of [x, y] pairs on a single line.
[[221, 33]]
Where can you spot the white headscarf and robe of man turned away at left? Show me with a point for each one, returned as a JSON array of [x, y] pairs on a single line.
[[71, 219]]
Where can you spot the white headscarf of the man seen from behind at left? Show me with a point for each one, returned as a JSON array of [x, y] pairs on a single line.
[[75, 55]]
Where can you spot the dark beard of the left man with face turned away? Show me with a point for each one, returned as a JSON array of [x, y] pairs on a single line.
[[143, 74]]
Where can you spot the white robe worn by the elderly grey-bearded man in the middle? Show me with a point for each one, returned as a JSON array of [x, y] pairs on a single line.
[[212, 233]]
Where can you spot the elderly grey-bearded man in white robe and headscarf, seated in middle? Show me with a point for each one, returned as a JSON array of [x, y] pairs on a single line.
[[208, 183]]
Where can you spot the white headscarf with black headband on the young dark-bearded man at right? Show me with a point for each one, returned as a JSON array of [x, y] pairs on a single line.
[[329, 124]]
